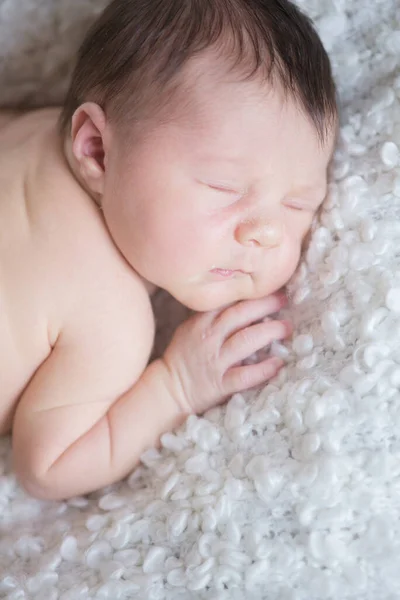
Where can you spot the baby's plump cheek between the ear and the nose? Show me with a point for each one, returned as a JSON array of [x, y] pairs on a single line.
[[158, 217]]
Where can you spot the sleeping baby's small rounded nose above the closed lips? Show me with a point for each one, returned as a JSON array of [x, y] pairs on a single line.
[[260, 232]]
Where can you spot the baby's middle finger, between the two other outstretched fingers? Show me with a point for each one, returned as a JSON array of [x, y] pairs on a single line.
[[251, 339]]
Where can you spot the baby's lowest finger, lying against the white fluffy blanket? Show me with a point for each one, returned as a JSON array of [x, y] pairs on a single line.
[[238, 379]]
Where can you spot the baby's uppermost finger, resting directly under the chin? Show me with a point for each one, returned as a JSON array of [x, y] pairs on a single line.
[[245, 313]]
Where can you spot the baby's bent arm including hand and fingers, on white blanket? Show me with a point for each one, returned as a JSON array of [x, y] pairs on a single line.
[[74, 432]]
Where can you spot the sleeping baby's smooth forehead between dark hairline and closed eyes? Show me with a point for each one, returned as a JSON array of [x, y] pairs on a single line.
[[252, 122]]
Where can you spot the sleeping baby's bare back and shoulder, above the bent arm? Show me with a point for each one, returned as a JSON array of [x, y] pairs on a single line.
[[59, 270]]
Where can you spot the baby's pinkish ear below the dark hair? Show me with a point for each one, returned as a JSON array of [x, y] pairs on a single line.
[[88, 149]]
